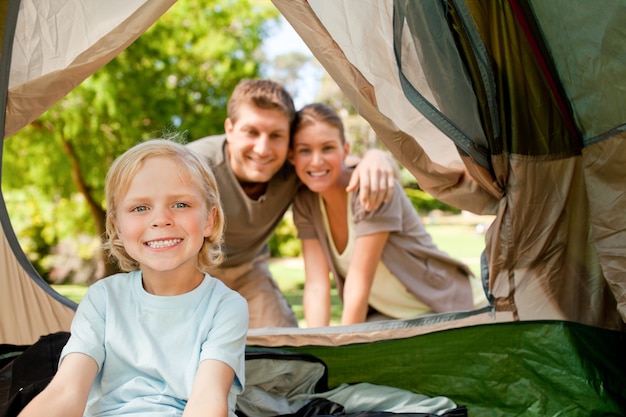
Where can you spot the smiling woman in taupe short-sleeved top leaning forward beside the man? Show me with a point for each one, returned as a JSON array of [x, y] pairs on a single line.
[[383, 261]]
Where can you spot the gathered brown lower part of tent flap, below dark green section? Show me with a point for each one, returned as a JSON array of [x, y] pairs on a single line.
[[542, 262]]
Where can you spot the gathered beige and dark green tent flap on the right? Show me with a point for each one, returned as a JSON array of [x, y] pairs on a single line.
[[491, 106]]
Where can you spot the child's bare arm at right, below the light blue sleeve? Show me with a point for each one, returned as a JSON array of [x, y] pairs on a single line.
[[209, 394]]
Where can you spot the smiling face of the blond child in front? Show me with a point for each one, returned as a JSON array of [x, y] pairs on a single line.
[[162, 219]]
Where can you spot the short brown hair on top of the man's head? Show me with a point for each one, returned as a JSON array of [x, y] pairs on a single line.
[[264, 94]]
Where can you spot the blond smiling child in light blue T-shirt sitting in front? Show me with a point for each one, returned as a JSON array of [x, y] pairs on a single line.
[[165, 337]]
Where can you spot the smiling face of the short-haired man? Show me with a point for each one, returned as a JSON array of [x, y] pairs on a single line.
[[257, 143]]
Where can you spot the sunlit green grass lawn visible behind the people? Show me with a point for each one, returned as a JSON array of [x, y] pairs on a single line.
[[457, 238]]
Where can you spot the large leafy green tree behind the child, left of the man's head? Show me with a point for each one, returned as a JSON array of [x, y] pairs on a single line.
[[176, 77]]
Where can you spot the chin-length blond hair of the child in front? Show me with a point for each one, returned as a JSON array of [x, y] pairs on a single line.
[[122, 172]]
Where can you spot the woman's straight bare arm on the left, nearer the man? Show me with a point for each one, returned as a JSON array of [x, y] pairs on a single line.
[[316, 297]]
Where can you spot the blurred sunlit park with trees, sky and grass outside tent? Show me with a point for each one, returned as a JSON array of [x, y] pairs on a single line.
[[176, 78]]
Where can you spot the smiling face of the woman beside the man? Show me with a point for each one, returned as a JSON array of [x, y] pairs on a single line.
[[318, 155]]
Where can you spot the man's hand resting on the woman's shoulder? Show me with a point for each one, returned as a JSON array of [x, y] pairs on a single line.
[[374, 175]]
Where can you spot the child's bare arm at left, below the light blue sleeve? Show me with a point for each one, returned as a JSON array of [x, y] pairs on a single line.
[[66, 395]]
